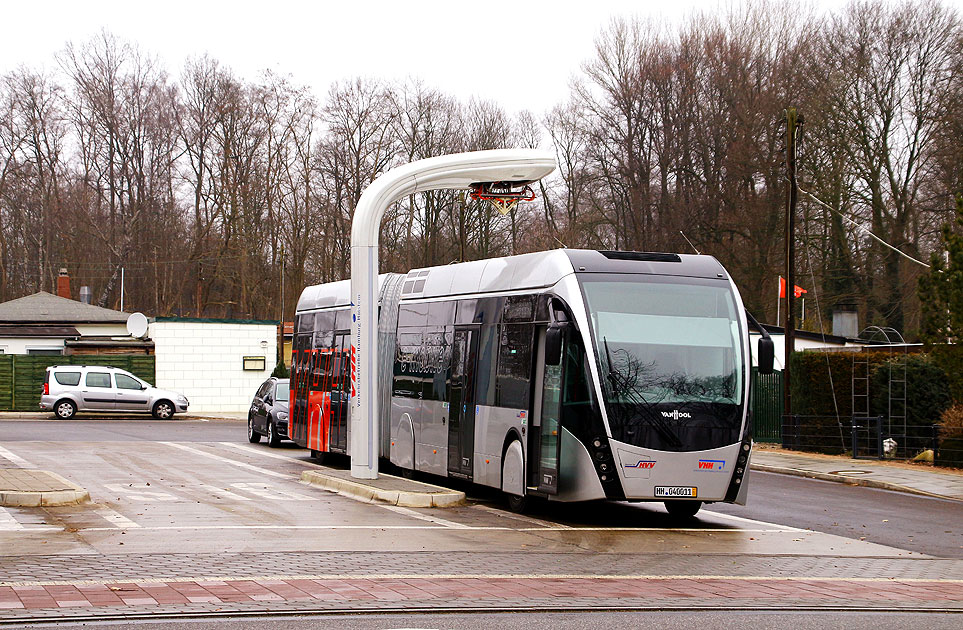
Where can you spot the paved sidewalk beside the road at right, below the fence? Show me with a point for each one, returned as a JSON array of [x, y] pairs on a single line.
[[887, 475]]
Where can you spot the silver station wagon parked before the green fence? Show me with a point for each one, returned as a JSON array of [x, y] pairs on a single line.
[[68, 389]]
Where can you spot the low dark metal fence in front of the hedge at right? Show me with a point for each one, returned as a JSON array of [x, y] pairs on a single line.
[[870, 438]]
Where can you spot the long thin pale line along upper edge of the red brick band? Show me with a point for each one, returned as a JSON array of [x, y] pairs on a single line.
[[483, 576]]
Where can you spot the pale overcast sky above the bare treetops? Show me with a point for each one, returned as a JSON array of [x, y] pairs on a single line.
[[521, 54]]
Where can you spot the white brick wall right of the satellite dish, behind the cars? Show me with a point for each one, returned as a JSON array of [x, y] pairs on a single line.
[[204, 361]]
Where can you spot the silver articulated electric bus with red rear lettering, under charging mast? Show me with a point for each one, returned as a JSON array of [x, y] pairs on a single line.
[[570, 374]]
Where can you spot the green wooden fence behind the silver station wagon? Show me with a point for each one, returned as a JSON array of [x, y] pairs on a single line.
[[21, 376]]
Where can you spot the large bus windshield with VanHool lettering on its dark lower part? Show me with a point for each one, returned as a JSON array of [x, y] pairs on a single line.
[[671, 358]]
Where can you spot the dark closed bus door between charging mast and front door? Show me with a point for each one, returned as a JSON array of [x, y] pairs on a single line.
[[461, 400]]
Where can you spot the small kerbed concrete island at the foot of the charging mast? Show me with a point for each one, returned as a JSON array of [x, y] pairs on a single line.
[[385, 489]]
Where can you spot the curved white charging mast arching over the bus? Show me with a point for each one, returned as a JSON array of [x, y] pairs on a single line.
[[456, 171]]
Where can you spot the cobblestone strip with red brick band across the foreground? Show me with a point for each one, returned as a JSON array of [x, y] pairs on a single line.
[[77, 586]]
